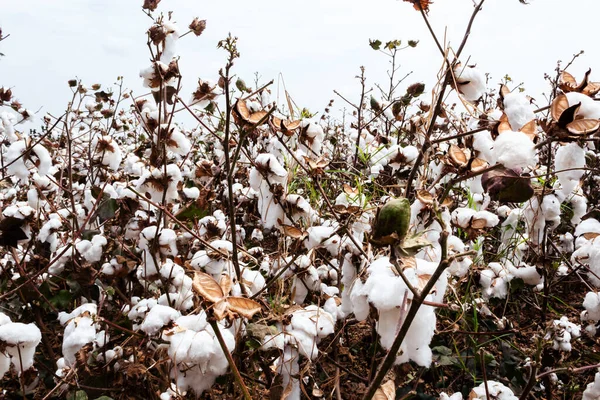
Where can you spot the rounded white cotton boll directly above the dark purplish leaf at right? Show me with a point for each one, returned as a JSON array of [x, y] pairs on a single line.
[[514, 150]]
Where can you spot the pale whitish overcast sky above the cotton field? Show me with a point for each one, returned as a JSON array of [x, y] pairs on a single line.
[[313, 46]]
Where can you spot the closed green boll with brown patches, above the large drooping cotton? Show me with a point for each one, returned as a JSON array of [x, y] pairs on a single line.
[[392, 221]]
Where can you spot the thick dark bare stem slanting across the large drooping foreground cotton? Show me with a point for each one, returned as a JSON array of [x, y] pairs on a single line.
[[390, 358]]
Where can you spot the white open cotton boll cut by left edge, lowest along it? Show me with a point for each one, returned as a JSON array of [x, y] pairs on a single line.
[[20, 341]]
